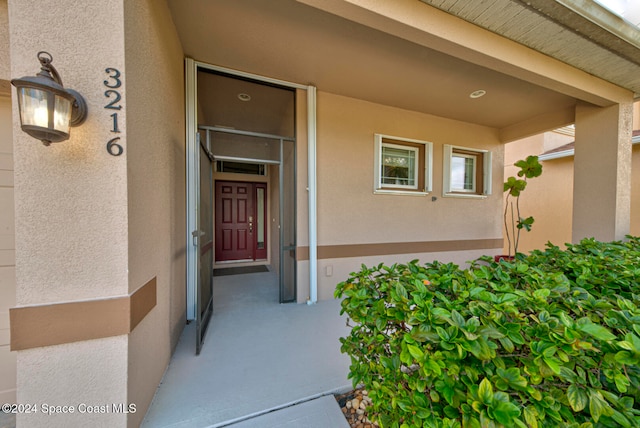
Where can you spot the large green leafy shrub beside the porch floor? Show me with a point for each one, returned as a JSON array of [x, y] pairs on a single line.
[[550, 340]]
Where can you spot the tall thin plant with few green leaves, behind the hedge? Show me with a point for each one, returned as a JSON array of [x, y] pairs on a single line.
[[513, 187]]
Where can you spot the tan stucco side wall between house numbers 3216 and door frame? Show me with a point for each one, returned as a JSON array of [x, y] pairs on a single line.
[[155, 189]]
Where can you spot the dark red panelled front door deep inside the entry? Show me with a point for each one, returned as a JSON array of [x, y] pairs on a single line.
[[238, 220]]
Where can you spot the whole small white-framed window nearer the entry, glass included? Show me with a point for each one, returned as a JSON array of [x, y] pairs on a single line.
[[402, 165]]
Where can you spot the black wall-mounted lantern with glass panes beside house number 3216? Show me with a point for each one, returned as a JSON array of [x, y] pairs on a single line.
[[47, 109]]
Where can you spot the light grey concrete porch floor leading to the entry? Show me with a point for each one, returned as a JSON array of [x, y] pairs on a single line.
[[259, 356]]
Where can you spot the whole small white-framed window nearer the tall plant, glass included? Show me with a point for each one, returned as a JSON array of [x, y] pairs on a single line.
[[467, 172]]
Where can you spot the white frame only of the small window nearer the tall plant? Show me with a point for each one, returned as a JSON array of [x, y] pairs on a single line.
[[448, 191]]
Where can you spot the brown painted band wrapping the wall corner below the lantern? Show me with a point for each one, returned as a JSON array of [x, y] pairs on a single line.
[[54, 324]]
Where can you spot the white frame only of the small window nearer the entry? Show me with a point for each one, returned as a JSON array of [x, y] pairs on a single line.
[[399, 189]]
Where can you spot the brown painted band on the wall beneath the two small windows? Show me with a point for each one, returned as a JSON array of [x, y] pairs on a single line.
[[390, 248]]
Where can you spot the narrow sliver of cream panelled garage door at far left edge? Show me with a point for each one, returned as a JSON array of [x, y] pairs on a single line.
[[7, 253]]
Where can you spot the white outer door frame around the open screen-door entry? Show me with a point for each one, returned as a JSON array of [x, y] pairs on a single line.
[[191, 85]]
